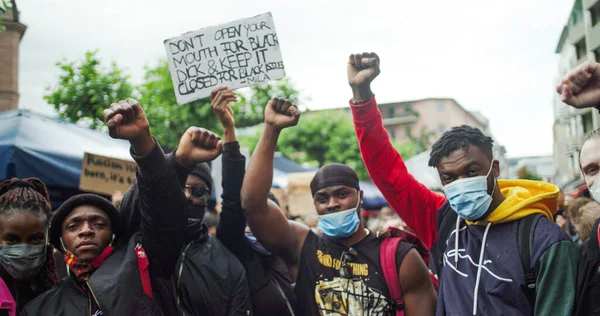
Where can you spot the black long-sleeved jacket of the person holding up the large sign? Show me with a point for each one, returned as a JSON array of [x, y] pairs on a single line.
[[268, 275]]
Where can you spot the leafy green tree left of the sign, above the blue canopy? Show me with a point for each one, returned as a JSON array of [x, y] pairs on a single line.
[[85, 89]]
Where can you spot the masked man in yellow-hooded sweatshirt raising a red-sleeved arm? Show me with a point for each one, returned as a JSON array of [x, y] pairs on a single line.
[[485, 266]]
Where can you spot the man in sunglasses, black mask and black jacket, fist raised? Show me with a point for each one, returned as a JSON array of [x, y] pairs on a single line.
[[208, 278]]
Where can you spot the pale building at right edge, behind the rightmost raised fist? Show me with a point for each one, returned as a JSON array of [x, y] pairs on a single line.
[[578, 42]]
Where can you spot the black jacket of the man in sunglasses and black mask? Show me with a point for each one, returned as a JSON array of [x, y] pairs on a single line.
[[208, 279]]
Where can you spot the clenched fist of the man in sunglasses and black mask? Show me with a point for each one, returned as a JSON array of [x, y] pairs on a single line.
[[198, 145]]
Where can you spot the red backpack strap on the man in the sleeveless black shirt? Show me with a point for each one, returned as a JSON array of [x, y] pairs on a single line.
[[387, 256]]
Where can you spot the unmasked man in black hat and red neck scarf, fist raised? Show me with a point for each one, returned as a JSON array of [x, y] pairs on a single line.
[[112, 273]]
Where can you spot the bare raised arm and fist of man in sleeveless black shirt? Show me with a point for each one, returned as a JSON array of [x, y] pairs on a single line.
[[267, 221]]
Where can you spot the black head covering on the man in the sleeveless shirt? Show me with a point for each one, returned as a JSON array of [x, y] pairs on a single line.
[[332, 175]]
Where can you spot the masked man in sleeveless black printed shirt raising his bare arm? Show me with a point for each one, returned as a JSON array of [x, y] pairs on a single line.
[[339, 273]]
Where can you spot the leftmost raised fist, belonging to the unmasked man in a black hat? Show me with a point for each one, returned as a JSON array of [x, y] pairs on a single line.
[[127, 120]]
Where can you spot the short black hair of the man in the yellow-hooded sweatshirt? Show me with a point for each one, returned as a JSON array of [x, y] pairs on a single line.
[[460, 137]]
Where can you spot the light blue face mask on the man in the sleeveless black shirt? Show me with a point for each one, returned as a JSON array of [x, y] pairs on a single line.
[[341, 224]]
